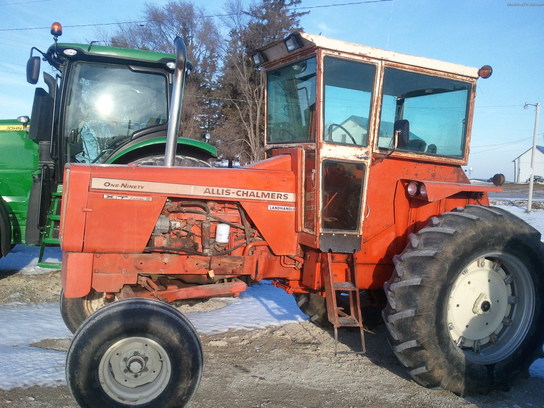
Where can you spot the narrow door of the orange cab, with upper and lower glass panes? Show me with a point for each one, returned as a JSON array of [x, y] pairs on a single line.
[[343, 154]]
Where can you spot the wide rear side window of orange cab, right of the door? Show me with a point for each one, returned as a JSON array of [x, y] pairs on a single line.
[[432, 111]]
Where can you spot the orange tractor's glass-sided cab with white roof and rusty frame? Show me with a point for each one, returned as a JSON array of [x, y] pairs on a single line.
[[348, 107]]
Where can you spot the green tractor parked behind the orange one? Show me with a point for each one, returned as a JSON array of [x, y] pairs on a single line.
[[105, 105]]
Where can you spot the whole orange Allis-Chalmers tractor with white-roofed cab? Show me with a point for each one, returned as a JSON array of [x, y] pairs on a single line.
[[362, 191]]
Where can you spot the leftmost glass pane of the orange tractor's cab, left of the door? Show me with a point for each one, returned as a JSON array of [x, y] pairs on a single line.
[[291, 102]]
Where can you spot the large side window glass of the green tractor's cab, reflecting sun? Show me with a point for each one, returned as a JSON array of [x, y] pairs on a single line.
[[106, 104]]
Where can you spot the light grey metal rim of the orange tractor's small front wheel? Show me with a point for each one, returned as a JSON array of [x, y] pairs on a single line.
[[134, 370]]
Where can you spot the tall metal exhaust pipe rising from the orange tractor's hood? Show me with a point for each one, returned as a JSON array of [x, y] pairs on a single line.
[[176, 103]]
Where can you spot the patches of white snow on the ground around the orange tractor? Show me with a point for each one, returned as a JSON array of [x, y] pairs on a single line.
[[22, 324]]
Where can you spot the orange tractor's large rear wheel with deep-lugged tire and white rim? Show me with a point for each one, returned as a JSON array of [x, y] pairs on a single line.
[[465, 306]]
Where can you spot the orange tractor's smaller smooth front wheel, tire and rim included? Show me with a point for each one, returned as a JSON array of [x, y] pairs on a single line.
[[134, 352]]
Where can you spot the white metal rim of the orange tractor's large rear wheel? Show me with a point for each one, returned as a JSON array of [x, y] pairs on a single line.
[[490, 307]]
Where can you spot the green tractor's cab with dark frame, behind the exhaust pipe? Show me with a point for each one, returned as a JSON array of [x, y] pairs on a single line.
[[101, 99]]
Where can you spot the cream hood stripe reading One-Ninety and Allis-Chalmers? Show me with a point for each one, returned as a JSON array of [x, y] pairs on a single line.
[[189, 190]]
